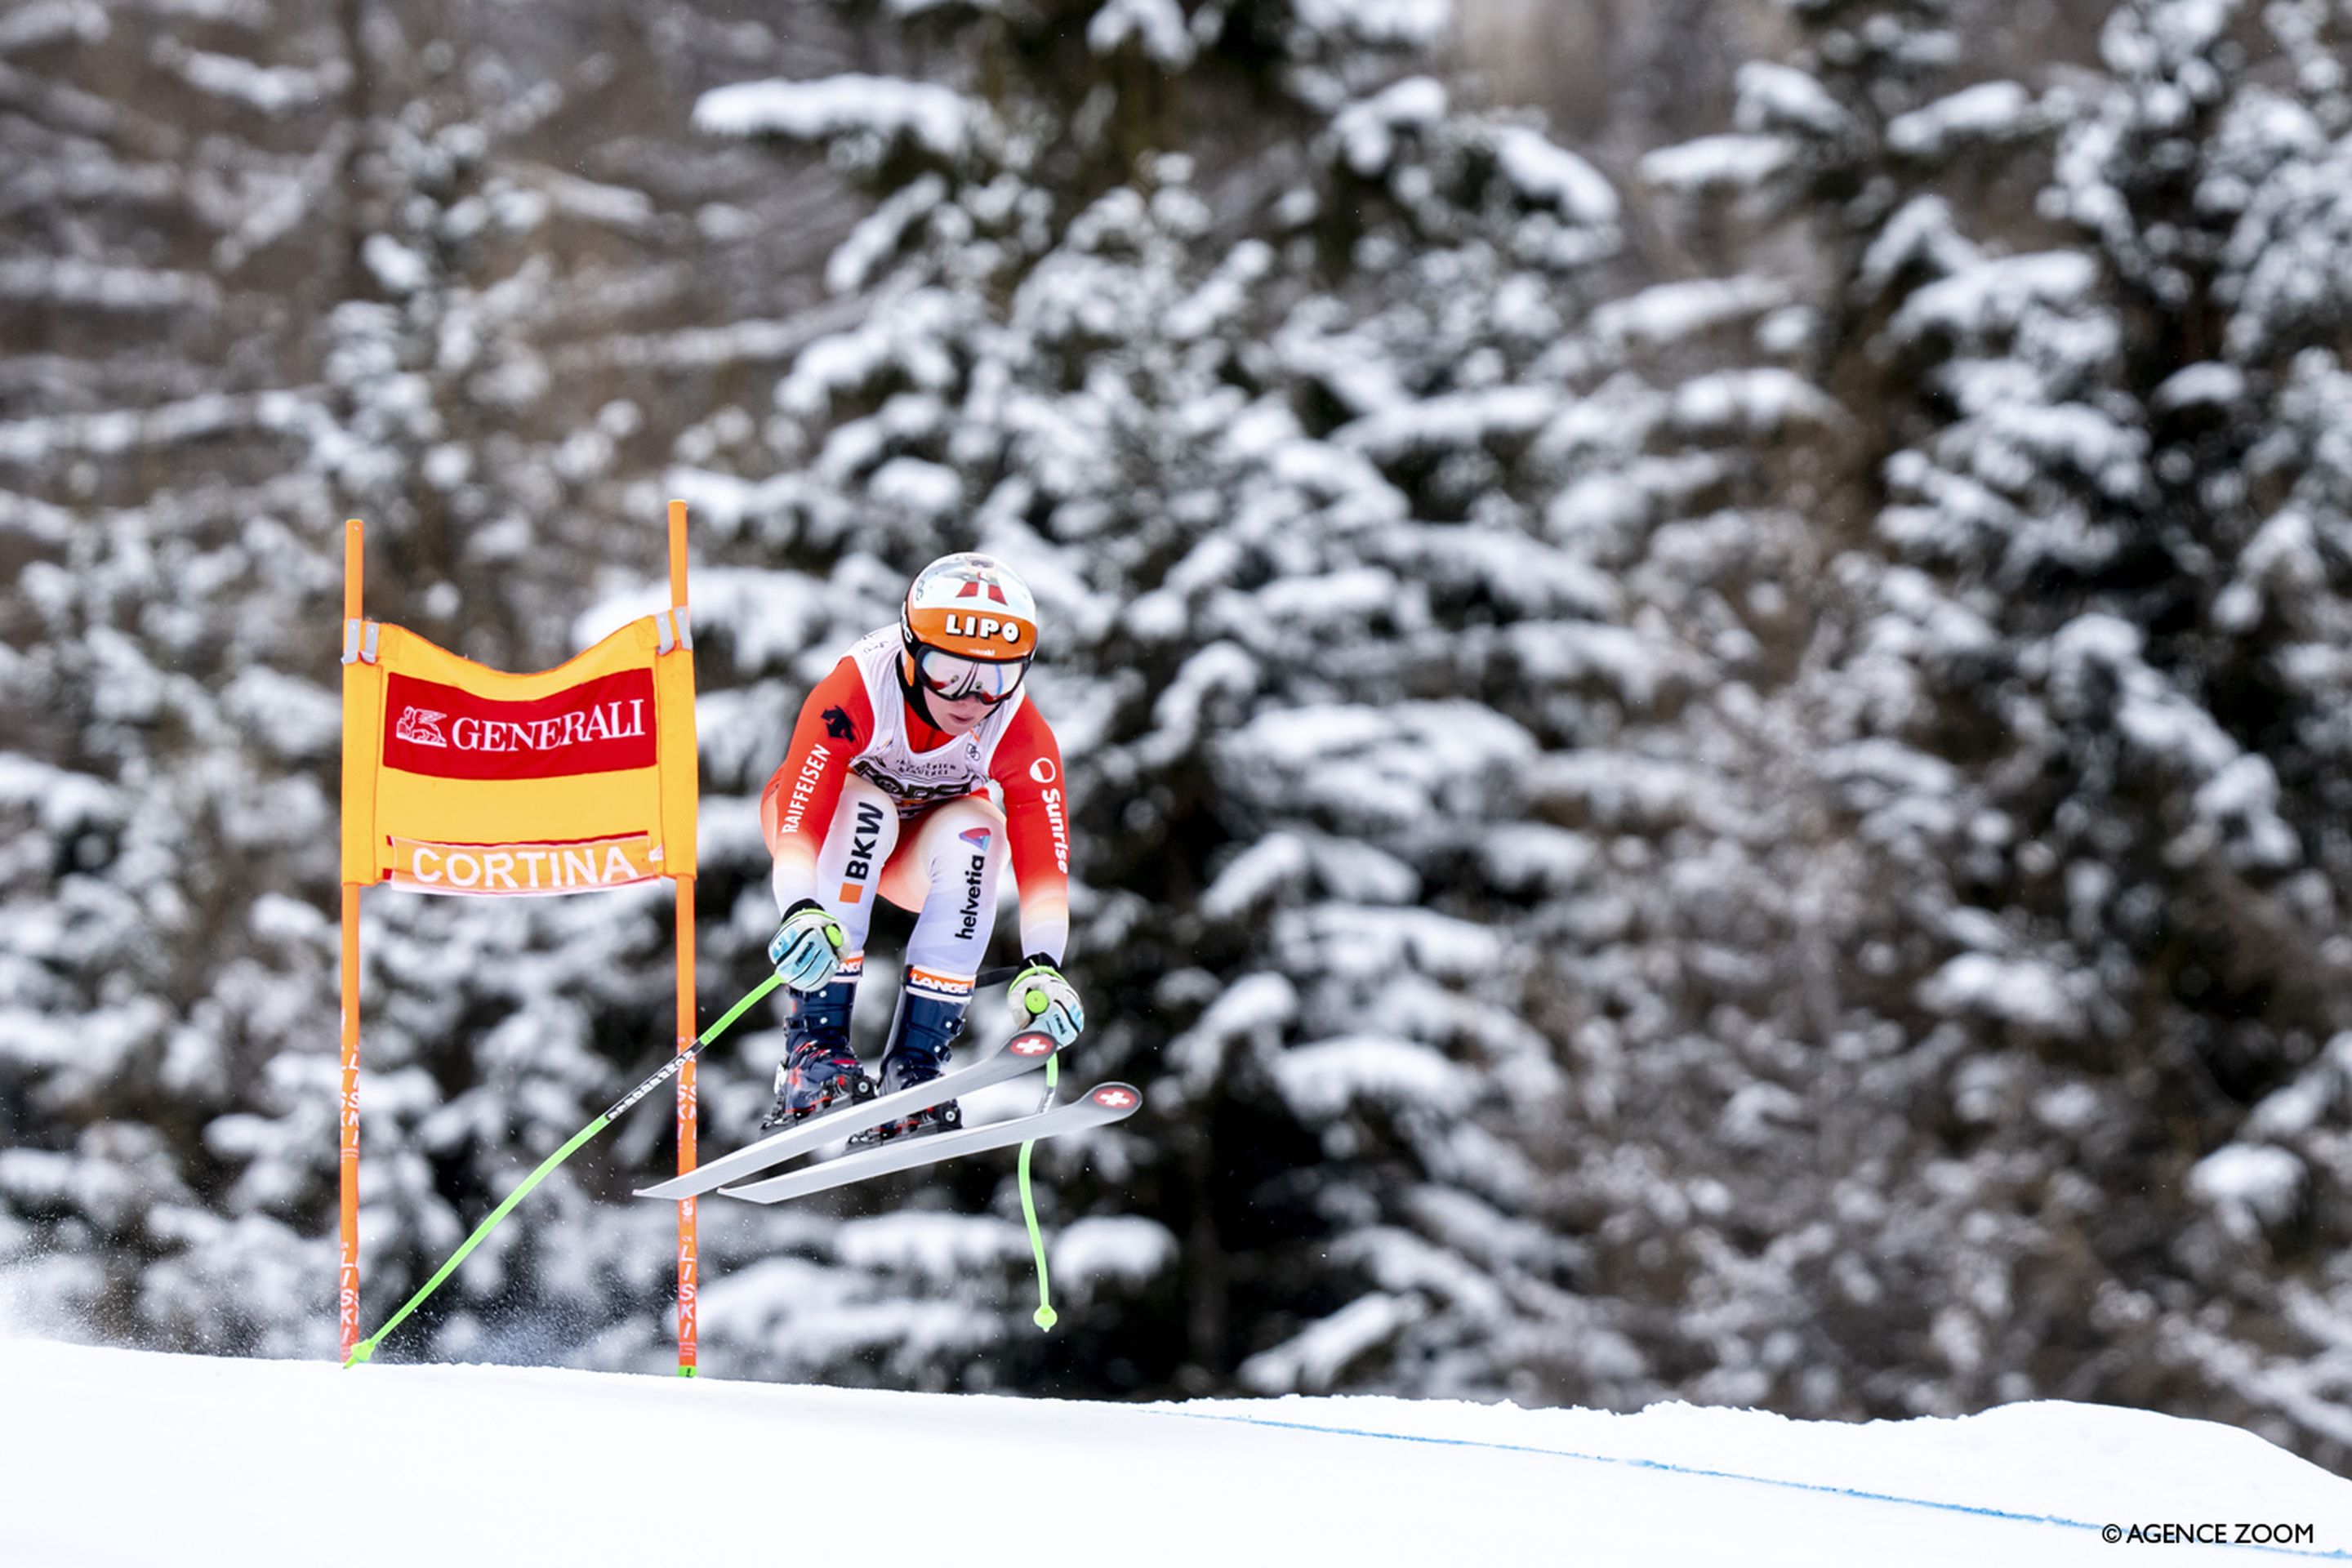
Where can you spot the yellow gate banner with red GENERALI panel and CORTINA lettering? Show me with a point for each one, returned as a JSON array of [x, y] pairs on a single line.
[[465, 779]]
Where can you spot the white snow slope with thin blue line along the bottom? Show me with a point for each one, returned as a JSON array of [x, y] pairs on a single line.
[[138, 1459]]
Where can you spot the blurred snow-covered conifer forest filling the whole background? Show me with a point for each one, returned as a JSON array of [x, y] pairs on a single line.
[[1704, 650]]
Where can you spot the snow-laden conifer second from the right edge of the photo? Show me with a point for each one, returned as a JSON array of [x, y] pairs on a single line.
[[1920, 1257]]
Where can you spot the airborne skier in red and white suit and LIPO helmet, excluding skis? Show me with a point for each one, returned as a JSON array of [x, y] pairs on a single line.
[[886, 796]]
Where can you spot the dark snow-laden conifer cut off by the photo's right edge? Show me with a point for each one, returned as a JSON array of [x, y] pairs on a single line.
[[2207, 189]]
